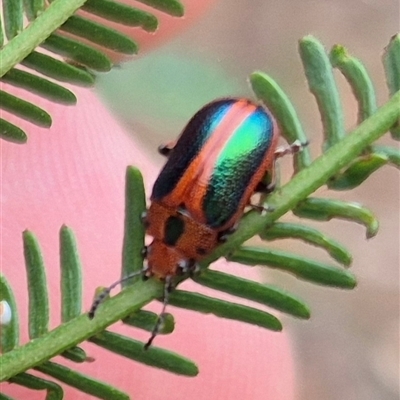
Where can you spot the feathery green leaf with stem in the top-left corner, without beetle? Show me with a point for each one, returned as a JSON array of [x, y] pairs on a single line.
[[79, 40]]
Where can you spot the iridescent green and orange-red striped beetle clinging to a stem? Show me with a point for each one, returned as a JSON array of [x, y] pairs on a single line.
[[213, 168]]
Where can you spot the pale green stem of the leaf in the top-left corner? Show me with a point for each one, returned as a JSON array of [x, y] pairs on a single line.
[[36, 32]]
